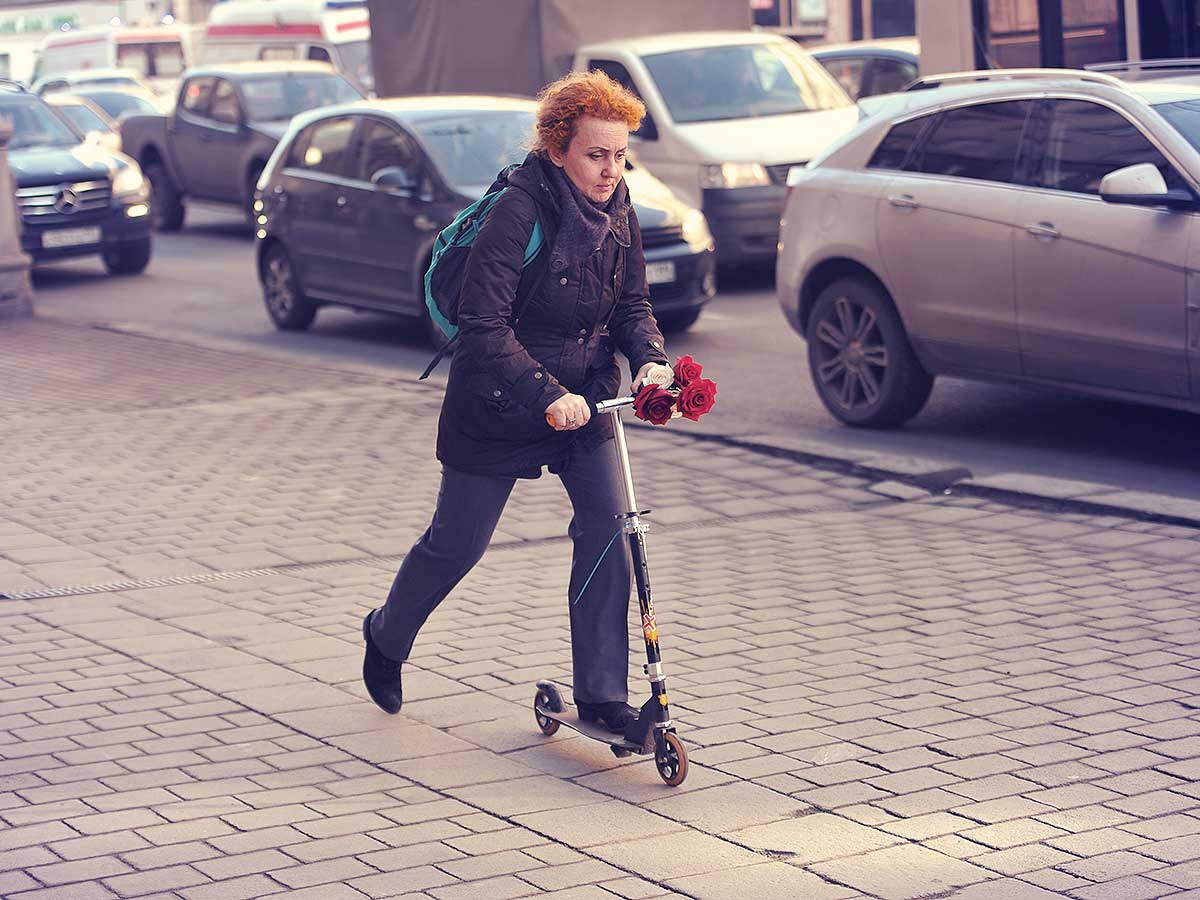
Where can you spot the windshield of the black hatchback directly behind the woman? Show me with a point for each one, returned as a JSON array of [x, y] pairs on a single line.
[[471, 148]]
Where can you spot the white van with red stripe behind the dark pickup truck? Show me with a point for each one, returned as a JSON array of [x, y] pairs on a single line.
[[335, 32]]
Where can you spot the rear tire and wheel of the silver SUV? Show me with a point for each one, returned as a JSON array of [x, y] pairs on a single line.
[[862, 363]]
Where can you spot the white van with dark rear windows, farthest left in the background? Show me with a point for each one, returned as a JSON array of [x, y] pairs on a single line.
[[155, 53]]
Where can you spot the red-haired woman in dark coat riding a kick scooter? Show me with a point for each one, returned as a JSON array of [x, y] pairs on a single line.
[[520, 385]]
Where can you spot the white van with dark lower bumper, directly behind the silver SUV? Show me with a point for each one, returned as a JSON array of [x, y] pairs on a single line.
[[729, 115]]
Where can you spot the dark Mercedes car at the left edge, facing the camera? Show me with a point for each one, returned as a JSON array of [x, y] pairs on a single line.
[[75, 196]]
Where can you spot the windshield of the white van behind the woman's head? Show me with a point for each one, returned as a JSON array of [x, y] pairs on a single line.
[[742, 82]]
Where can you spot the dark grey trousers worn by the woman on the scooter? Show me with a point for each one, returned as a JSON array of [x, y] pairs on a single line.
[[467, 513]]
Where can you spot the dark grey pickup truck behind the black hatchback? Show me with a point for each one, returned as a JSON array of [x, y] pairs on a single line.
[[227, 121]]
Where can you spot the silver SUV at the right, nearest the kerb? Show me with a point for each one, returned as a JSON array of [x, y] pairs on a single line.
[[1040, 227]]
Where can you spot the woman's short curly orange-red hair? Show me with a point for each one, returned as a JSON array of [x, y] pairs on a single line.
[[563, 104]]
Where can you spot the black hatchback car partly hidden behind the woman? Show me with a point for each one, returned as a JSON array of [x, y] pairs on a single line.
[[352, 200]]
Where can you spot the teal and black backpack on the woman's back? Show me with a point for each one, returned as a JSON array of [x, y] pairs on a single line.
[[445, 278]]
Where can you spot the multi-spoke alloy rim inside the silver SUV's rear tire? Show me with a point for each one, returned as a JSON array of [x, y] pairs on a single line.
[[853, 359]]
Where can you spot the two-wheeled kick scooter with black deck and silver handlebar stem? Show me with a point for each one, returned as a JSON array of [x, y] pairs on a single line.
[[653, 730]]
